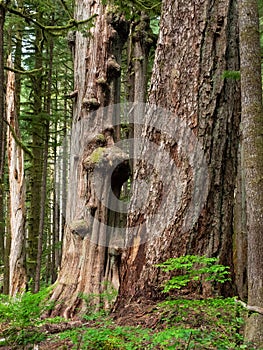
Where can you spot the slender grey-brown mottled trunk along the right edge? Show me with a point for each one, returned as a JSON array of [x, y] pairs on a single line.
[[252, 143]]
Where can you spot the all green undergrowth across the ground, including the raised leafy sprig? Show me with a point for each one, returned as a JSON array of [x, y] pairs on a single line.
[[182, 322]]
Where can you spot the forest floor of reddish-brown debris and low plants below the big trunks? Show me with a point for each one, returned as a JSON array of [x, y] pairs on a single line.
[[173, 324]]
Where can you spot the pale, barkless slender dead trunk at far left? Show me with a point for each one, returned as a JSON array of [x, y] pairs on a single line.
[[17, 279]]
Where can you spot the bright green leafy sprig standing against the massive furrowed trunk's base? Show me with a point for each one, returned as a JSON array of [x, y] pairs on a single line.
[[193, 268]]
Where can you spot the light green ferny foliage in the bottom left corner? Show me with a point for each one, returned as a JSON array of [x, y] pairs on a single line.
[[22, 315]]
